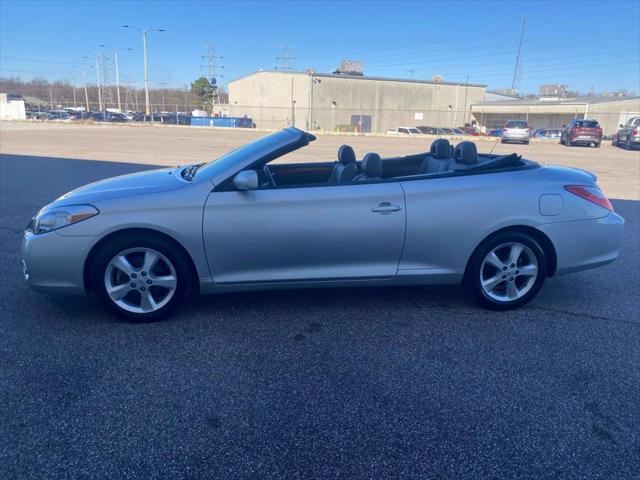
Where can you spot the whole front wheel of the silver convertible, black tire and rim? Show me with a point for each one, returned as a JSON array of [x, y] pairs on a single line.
[[133, 292]]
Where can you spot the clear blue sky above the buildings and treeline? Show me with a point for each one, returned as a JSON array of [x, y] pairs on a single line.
[[589, 45]]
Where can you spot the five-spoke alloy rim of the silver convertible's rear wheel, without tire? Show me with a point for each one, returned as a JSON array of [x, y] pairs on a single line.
[[508, 272]]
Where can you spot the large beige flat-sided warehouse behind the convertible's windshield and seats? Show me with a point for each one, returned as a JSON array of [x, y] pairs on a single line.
[[330, 102]]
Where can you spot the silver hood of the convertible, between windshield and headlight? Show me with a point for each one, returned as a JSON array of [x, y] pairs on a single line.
[[151, 181]]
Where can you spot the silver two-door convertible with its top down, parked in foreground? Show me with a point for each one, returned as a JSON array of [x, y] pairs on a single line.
[[143, 243]]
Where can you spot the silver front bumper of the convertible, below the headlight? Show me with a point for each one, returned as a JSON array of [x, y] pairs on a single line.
[[53, 263]]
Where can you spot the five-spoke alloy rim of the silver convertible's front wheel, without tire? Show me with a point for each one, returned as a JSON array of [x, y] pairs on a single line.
[[140, 280]]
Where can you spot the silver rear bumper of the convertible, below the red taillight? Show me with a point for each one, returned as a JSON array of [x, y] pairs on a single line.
[[585, 244]]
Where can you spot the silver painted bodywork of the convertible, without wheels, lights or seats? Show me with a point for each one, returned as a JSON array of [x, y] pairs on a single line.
[[410, 230]]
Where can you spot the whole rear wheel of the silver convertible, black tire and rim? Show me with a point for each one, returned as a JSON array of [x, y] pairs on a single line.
[[515, 282]]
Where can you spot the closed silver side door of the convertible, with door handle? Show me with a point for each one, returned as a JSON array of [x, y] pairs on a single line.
[[326, 232]]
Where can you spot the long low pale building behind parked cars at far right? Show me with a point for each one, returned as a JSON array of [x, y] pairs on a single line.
[[556, 112]]
